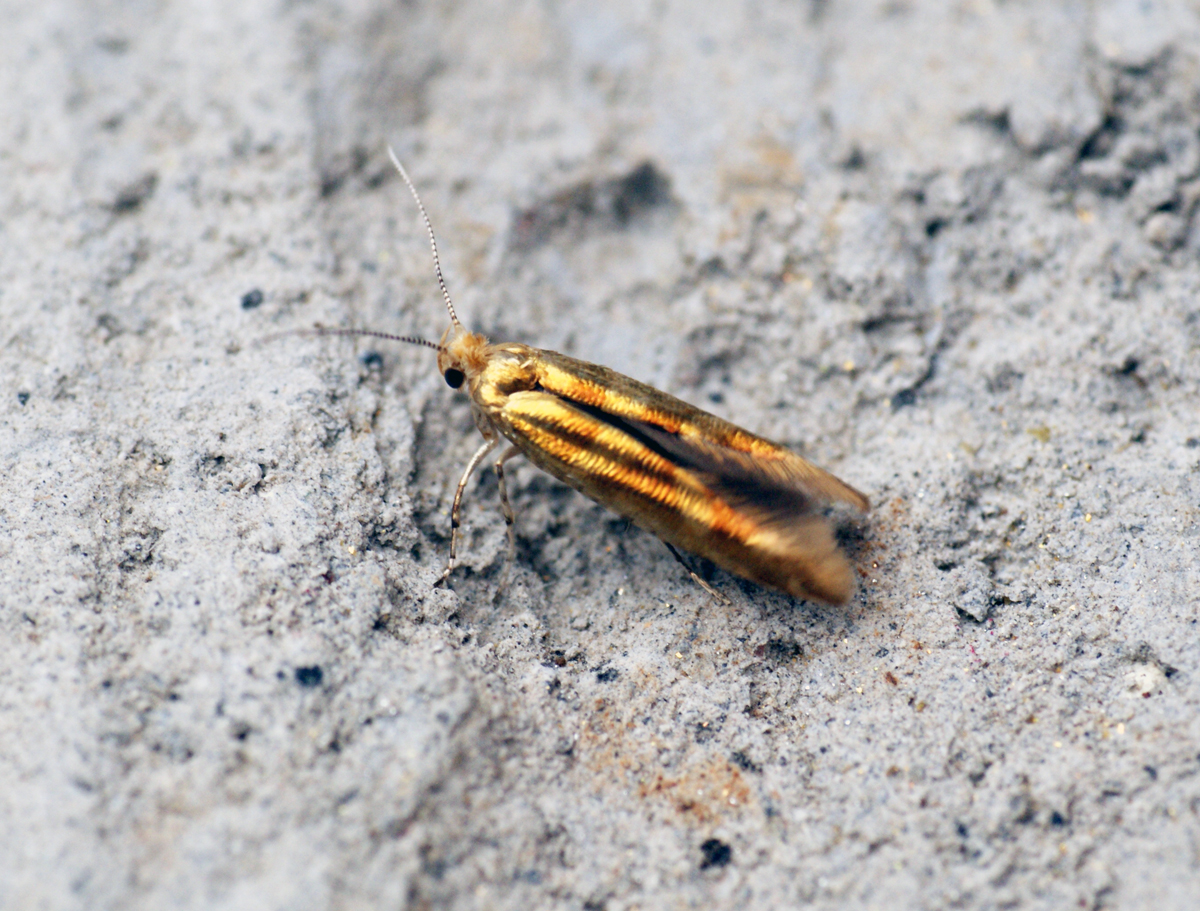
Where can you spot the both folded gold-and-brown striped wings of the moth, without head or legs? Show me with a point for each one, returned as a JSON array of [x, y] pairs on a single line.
[[695, 481]]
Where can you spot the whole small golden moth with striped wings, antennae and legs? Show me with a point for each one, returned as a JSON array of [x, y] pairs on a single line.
[[699, 483]]
